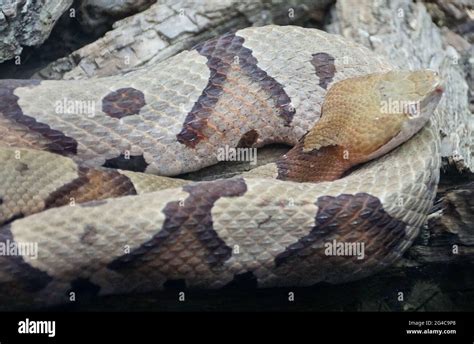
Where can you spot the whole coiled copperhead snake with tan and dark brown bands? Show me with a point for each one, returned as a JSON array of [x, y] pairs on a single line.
[[88, 169]]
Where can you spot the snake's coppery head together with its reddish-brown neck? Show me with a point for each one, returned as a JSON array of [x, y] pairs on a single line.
[[361, 119]]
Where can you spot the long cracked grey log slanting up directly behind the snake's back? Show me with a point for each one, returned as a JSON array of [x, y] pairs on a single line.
[[169, 27]]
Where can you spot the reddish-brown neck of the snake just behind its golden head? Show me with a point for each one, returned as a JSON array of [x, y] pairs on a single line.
[[324, 164]]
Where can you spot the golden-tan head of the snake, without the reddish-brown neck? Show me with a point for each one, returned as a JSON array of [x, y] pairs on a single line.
[[370, 115]]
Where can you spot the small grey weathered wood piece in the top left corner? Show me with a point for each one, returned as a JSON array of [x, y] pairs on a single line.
[[27, 23]]
